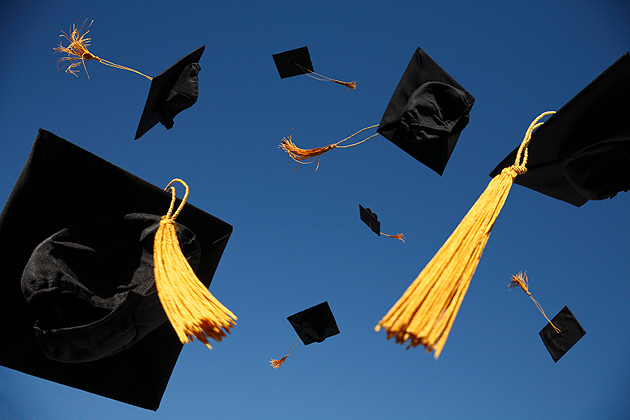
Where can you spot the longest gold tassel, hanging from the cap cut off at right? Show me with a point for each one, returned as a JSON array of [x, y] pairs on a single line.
[[426, 311]]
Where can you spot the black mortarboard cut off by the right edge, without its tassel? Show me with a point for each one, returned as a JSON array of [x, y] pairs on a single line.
[[582, 152]]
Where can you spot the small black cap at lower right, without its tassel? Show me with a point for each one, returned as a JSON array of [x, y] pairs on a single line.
[[570, 333]]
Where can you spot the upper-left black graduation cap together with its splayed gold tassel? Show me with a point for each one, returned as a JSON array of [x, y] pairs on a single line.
[[171, 92]]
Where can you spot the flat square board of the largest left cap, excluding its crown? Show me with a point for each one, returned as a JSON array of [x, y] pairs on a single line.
[[60, 185]]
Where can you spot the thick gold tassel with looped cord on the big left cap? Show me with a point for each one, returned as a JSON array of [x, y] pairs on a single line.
[[192, 310]]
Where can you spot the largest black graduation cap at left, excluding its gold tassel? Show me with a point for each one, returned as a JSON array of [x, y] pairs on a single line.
[[70, 208]]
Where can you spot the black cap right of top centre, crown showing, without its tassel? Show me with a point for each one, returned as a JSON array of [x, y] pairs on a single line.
[[427, 112]]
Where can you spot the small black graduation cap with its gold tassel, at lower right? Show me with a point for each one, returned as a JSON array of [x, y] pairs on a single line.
[[562, 332]]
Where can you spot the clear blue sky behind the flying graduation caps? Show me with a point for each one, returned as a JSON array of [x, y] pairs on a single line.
[[298, 240]]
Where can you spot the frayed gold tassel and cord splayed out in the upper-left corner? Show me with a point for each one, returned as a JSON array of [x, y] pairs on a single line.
[[78, 52]]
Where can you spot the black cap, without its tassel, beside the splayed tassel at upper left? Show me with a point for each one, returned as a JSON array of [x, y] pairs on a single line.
[[171, 92]]
